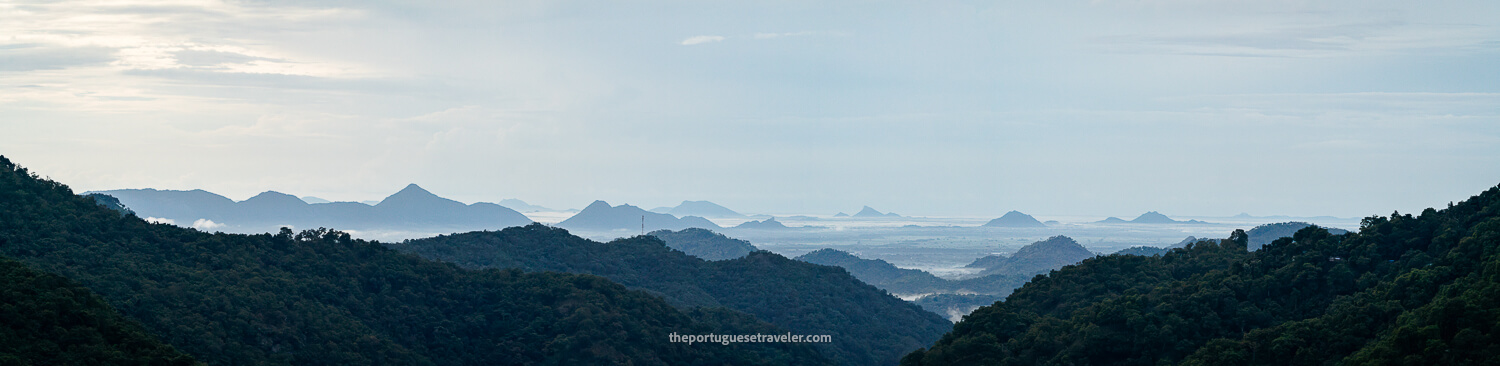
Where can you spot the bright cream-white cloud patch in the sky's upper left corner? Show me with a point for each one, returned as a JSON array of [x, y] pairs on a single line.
[[134, 37]]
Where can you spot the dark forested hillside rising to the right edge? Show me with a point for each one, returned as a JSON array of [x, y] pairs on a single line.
[[1403, 290]]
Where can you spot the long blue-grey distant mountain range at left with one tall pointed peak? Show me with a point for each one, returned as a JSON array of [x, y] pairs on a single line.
[[412, 209]]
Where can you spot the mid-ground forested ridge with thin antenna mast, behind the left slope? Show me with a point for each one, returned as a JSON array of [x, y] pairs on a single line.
[[868, 325]]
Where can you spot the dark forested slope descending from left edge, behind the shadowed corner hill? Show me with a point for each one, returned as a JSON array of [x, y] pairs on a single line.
[[320, 298]]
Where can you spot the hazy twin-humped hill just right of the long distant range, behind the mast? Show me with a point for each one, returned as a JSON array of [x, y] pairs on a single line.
[[601, 217]]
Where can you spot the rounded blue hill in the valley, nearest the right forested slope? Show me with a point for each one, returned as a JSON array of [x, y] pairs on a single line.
[[1036, 259]]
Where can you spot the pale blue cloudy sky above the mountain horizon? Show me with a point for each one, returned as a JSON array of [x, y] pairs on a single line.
[[931, 109]]
